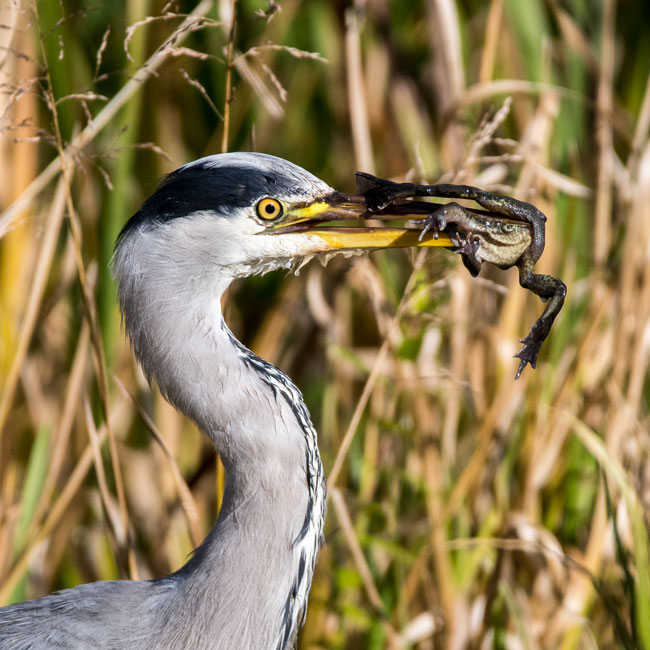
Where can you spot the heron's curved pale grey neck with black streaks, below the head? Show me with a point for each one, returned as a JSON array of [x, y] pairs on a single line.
[[270, 524]]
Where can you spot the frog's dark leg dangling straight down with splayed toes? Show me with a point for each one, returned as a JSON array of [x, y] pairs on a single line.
[[551, 290]]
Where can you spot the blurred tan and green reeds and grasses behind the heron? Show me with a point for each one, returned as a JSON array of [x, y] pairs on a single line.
[[466, 510]]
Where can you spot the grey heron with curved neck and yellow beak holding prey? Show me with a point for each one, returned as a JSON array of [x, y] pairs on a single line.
[[246, 586]]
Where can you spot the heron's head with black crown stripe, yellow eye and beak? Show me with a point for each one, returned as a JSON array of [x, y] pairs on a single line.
[[239, 214]]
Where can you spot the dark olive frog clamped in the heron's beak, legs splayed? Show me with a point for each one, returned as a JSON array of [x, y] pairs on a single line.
[[508, 233]]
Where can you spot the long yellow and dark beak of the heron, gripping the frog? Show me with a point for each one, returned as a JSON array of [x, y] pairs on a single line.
[[345, 222]]
